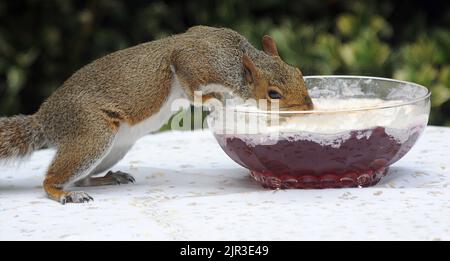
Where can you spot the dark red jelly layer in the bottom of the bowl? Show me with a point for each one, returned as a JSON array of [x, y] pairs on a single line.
[[360, 160]]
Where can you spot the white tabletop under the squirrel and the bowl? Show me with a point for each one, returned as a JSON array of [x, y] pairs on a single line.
[[188, 189]]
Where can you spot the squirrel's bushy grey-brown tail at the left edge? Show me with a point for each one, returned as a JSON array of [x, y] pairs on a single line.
[[19, 136]]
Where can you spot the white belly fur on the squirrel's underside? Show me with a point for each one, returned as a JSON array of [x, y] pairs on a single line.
[[127, 135]]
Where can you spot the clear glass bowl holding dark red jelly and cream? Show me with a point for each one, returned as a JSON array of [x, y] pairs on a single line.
[[359, 127]]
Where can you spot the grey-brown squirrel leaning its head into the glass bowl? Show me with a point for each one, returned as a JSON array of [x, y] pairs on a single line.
[[96, 116]]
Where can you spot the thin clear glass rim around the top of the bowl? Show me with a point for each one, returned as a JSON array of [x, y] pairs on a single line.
[[407, 102]]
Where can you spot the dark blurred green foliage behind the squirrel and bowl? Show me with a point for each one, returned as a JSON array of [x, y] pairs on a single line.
[[43, 42]]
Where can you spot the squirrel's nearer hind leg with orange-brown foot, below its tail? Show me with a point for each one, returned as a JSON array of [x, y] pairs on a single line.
[[74, 161]]
